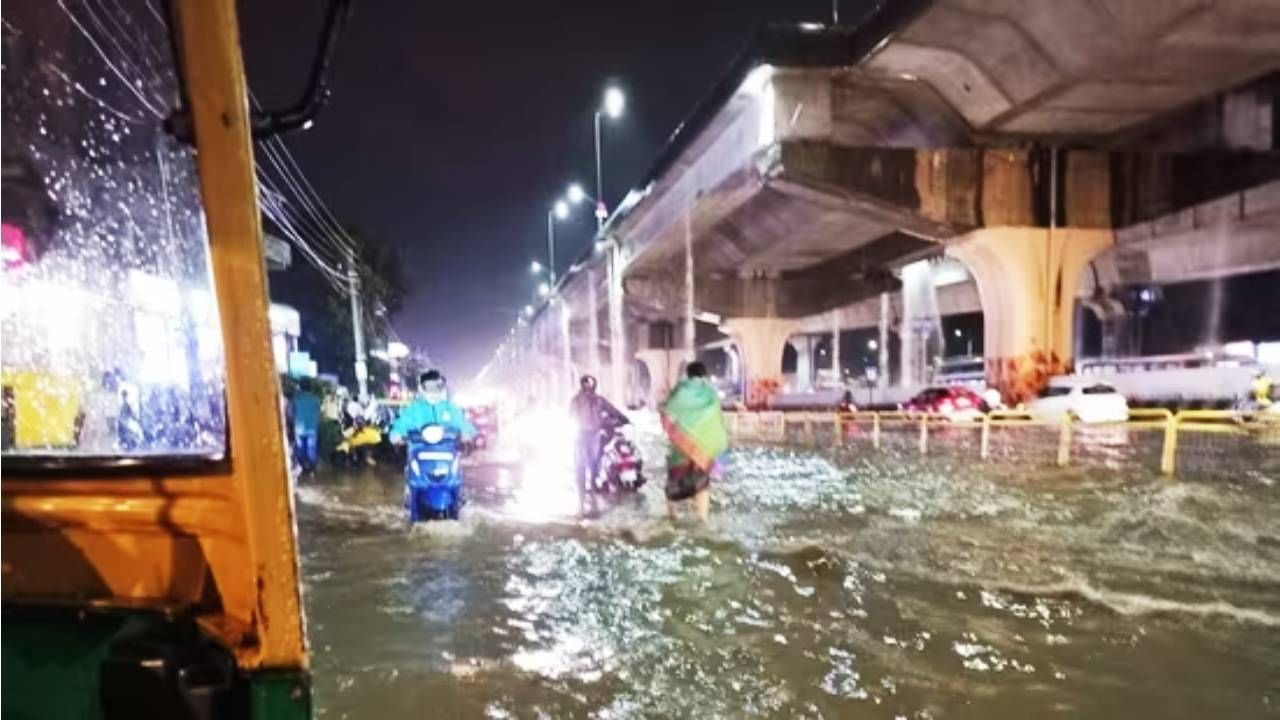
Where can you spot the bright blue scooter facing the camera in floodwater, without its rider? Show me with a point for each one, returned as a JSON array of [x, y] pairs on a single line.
[[433, 475]]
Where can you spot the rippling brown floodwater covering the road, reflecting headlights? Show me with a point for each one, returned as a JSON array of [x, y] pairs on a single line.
[[826, 586]]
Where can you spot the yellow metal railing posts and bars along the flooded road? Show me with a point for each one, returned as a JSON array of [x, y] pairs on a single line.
[[774, 427]]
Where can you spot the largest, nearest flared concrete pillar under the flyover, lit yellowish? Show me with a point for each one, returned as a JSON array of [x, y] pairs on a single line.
[[1028, 281]]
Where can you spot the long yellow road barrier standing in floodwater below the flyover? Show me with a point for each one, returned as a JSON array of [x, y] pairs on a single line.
[[1069, 439]]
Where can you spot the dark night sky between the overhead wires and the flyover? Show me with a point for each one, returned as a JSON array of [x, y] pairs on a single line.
[[454, 126]]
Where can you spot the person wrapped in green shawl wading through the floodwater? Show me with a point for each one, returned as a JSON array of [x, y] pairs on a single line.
[[692, 418]]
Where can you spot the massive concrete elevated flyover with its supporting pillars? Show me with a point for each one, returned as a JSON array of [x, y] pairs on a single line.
[[1021, 138]]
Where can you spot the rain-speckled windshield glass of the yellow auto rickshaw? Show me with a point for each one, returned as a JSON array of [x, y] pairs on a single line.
[[112, 341]]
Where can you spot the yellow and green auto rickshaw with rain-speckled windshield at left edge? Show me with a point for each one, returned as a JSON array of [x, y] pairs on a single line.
[[158, 577]]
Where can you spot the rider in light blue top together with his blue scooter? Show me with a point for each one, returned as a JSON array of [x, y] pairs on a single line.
[[436, 430]]
